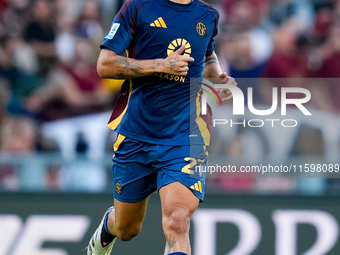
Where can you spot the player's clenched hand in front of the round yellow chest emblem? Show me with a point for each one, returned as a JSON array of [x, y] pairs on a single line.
[[177, 64]]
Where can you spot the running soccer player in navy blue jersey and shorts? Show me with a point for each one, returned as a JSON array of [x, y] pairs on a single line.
[[158, 46]]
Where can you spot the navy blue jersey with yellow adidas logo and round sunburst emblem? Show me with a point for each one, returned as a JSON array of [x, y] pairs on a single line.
[[162, 108]]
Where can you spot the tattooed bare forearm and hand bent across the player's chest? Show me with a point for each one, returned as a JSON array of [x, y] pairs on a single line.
[[113, 66]]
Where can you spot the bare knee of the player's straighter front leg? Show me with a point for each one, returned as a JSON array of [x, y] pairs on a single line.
[[177, 220]]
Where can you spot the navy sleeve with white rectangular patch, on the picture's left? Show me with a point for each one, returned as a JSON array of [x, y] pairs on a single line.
[[123, 26]]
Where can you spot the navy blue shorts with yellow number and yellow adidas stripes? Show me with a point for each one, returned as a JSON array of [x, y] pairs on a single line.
[[141, 168]]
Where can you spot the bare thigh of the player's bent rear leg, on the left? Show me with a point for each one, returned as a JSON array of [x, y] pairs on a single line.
[[130, 215]]
